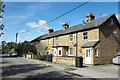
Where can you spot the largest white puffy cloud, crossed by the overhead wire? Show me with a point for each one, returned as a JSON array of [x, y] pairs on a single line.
[[42, 24]]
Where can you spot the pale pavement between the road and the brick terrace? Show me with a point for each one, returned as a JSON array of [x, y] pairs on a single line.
[[101, 71]]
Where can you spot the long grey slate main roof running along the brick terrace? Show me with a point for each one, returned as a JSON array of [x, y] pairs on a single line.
[[80, 27]]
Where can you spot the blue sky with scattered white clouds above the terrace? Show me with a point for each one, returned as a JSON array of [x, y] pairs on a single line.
[[20, 17]]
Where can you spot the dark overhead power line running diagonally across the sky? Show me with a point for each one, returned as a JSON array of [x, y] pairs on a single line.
[[59, 16]]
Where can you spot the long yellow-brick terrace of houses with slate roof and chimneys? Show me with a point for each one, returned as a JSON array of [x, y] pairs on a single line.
[[97, 41]]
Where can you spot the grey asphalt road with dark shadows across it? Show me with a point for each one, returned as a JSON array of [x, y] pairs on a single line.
[[15, 67]]
